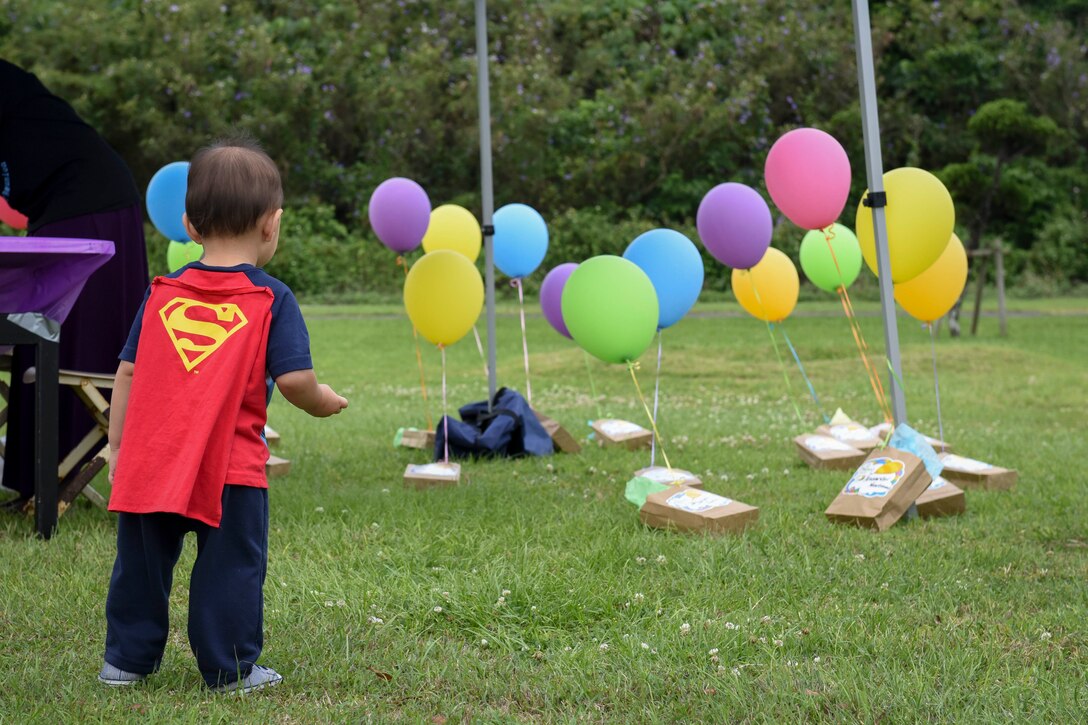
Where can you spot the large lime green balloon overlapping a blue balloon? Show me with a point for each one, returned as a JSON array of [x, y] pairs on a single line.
[[611, 309]]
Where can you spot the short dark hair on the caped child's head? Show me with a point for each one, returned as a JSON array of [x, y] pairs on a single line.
[[232, 185]]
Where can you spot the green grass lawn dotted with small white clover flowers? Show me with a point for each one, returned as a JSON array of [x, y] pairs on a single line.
[[531, 593]]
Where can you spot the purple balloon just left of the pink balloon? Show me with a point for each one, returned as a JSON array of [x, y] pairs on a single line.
[[735, 225]]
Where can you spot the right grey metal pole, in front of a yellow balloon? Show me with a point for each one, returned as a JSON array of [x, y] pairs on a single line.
[[874, 168]]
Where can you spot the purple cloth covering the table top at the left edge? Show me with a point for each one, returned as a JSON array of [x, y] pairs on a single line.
[[47, 275]]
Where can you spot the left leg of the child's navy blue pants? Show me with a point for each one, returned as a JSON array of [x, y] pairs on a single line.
[[138, 607]]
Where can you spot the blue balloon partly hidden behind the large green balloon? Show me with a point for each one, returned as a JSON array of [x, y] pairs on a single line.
[[675, 267]]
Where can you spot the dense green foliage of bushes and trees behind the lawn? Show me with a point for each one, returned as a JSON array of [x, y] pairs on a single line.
[[617, 110]]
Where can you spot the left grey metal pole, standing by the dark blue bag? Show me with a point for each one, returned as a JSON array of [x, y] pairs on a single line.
[[484, 90]]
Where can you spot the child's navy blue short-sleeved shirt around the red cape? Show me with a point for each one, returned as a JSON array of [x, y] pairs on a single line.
[[289, 341]]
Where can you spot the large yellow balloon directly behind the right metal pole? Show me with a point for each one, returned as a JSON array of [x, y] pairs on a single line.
[[921, 218]]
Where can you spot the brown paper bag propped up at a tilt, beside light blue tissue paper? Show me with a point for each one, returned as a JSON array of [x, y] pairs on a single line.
[[881, 490]]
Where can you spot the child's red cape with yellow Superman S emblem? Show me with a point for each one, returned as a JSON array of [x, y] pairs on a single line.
[[201, 361]]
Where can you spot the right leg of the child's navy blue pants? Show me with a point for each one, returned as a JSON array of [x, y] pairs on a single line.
[[227, 592]]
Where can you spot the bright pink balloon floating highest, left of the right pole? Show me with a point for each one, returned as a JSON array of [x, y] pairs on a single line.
[[808, 175]]
